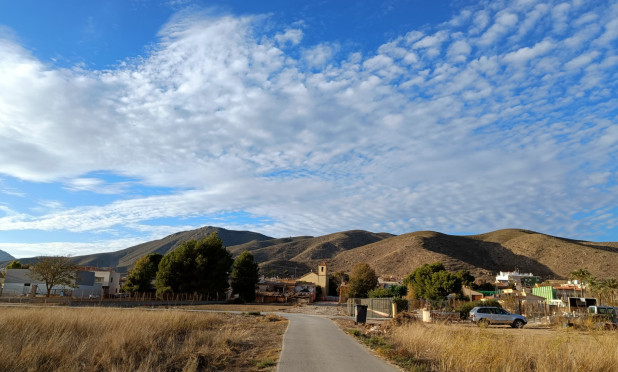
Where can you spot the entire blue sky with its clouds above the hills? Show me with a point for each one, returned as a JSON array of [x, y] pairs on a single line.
[[125, 121]]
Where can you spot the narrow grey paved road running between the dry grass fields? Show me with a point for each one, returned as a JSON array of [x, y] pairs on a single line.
[[313, 343]]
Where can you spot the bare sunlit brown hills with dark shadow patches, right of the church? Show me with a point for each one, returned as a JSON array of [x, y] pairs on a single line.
[[502, 250]]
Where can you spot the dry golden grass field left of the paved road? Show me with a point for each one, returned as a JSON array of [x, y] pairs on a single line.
[[97, 339]]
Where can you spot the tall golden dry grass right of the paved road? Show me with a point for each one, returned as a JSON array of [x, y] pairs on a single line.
[[447, 348]]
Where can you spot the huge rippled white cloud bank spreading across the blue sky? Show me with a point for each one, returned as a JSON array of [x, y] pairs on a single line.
[[407, 138]]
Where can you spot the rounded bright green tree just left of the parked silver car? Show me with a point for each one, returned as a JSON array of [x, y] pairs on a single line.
[[432, 282]]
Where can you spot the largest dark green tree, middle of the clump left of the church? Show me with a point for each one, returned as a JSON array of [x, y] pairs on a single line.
[[196, 267]]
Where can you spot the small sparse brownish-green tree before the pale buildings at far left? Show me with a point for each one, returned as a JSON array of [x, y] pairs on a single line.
[[55, 270]]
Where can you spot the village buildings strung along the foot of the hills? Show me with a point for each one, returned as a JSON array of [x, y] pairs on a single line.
[[520, 293]]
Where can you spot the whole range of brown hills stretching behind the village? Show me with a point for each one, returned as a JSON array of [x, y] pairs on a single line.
[[390, 255]]
